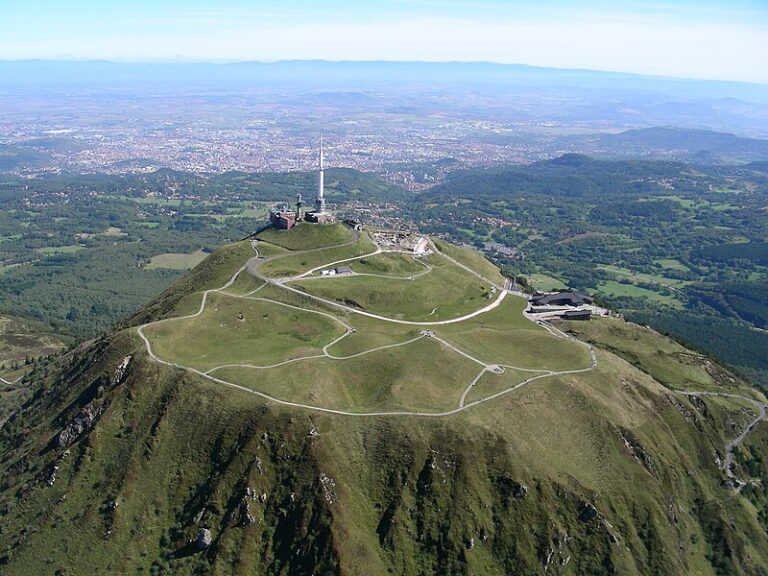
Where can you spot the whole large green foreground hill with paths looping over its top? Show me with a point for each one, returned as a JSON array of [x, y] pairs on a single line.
[[262, 417]]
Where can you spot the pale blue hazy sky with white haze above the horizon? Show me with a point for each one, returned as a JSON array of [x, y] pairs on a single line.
[[723, 39]]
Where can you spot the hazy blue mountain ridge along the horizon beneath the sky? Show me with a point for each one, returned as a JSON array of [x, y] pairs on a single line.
[[15, 73]]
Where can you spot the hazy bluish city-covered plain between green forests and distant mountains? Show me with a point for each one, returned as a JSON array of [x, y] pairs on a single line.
[[411, 135]]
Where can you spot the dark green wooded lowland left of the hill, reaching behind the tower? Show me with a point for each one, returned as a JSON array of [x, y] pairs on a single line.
[[74, 249]]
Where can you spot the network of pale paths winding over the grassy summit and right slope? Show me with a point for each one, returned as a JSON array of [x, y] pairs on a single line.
[[252, 266]]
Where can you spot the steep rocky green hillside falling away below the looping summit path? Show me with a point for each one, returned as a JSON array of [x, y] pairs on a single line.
[[119, 463]]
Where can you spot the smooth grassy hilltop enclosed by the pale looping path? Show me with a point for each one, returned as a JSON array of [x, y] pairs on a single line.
[[359, 375]]
